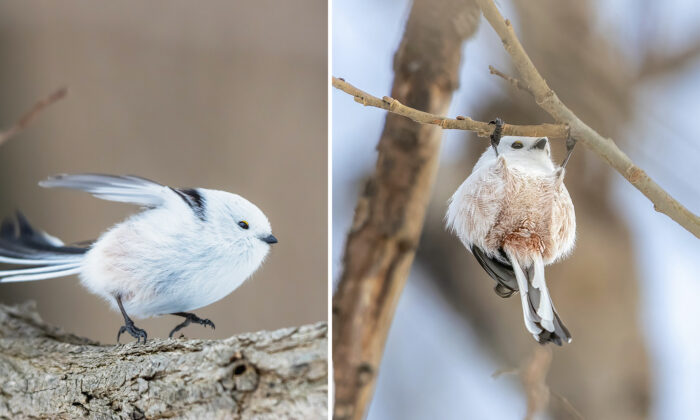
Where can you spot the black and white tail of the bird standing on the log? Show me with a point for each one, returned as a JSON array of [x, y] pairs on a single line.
[[42, 255]]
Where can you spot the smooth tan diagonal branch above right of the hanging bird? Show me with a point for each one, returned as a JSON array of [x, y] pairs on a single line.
[[603, 147]]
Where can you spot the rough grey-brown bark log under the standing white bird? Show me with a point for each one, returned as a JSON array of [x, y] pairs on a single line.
[[47, 373]]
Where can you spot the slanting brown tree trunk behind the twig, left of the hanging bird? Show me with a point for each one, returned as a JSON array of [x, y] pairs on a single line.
[[389, 214]]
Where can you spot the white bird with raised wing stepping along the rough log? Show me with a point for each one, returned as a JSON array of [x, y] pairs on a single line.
[[187, 249]]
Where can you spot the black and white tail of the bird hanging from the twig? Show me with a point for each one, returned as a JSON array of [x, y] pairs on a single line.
[[541, 318]]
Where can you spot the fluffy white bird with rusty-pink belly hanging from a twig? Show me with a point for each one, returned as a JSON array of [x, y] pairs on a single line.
[[515, 216]]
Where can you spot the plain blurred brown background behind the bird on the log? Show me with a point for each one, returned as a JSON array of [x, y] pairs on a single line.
[[224, 95]]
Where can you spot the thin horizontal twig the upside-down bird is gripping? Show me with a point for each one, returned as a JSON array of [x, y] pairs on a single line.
[[482, 129]]
